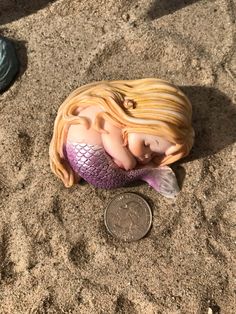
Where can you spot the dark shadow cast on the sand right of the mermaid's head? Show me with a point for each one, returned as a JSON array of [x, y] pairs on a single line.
[[214, 119]]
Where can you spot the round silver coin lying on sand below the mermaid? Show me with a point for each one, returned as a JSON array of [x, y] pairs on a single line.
[[128, 217]]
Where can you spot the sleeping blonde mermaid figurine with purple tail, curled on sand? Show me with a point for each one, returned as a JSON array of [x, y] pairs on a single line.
[[111, 133]]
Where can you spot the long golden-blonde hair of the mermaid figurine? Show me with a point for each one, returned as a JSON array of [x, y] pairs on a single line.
[[149, 106]]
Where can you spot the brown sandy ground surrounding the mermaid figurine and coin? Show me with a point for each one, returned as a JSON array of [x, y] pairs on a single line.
[[55, 254]]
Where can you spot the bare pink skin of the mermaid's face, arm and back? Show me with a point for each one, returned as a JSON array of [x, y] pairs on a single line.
[[139, 152]]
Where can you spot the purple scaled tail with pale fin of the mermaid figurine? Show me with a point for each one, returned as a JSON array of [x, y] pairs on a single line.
[[95, 166]]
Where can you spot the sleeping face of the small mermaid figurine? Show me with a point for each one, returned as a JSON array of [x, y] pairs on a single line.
[[144, 146]]
